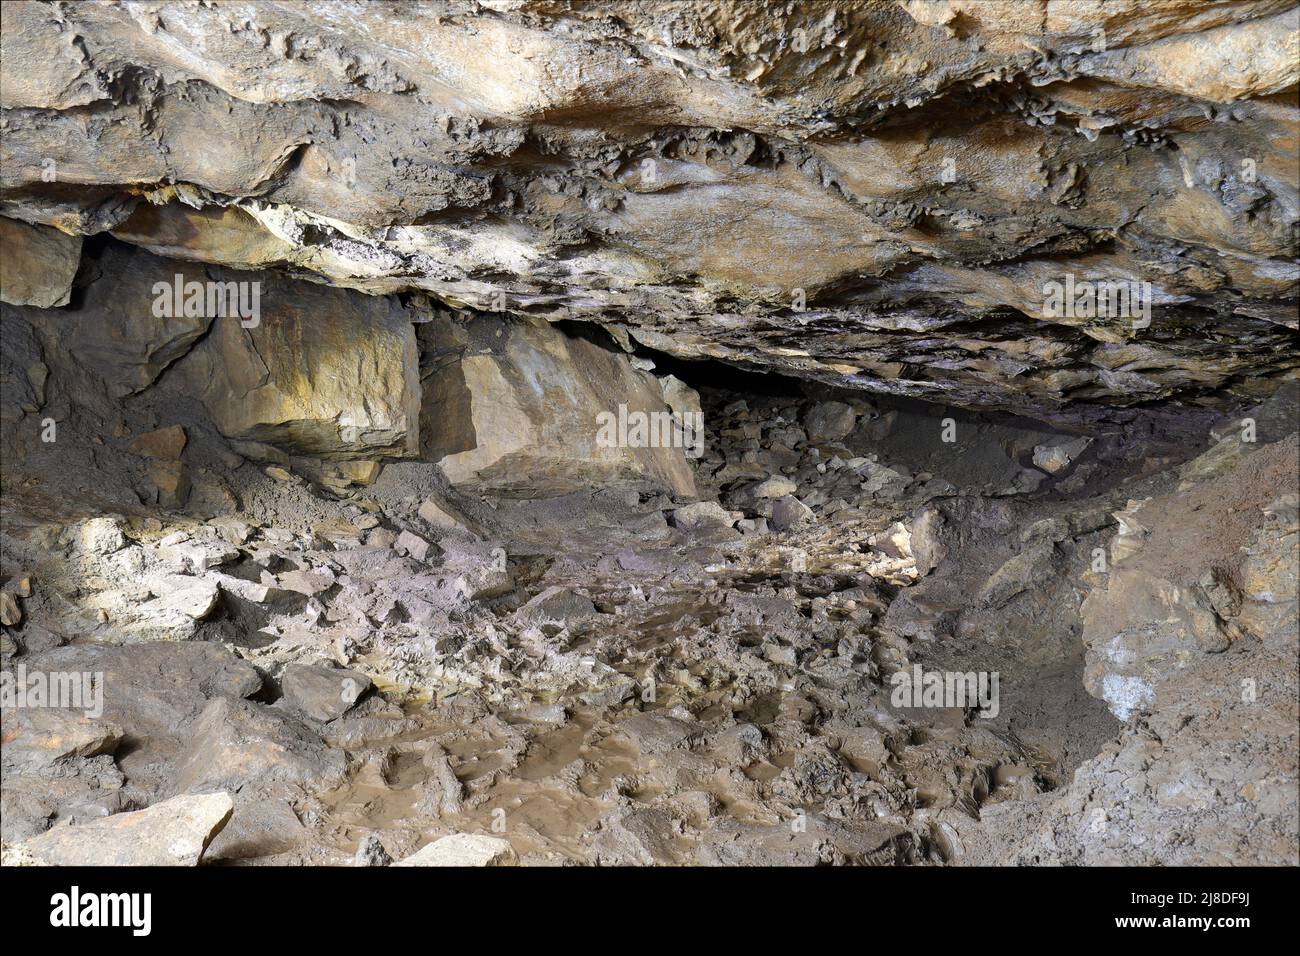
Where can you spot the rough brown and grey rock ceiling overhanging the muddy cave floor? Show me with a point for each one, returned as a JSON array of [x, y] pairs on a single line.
[[896, 185]]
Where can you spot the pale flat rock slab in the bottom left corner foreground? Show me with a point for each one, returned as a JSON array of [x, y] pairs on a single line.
[[174, 833]]
